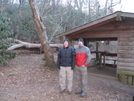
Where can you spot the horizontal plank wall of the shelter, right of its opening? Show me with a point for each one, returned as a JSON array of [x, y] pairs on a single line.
[[125, 65]]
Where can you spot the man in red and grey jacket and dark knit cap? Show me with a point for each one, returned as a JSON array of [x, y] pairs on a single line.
[[83, 57]]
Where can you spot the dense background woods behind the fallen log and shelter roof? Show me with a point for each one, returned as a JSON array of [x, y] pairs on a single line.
[[57, 15]]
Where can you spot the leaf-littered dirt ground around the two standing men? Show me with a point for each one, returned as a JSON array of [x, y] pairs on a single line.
[[26, 79]]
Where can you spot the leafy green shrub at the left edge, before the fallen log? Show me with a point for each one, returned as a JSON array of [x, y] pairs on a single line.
[[5, 33]]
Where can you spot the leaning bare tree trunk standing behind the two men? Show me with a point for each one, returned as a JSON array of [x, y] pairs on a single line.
[[42, 34]]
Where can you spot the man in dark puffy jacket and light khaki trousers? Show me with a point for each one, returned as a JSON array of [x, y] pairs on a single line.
[[66, 64]]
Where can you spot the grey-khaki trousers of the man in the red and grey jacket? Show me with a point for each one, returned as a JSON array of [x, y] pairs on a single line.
[[81, 76]]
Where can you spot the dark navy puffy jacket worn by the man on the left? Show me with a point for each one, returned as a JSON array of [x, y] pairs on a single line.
[[66, 57]]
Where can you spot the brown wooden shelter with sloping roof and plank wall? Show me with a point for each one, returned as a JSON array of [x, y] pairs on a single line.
[[118, 26]]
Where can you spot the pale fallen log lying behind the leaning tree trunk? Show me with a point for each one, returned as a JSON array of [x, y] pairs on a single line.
[[30, 46]]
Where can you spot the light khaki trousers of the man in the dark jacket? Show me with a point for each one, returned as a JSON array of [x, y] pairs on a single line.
[[66, 78]]
